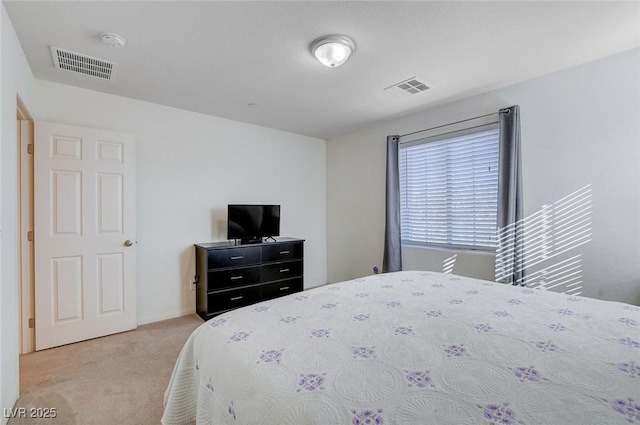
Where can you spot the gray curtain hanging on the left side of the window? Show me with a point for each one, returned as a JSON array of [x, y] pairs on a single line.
[[392, 260]]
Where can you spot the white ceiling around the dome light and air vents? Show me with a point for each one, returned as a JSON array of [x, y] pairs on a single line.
[[217, 57]]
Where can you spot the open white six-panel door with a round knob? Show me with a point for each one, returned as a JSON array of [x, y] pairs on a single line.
[[84, 200]]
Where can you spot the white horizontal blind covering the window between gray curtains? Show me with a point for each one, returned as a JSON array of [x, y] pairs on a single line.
[[449, 189]]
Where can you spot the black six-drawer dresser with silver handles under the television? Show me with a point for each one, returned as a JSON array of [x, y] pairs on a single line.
[[229, 276]]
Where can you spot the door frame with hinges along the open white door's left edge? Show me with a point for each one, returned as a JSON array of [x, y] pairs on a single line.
[[24, 138]]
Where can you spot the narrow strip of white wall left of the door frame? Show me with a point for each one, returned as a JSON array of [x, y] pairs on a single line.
[[16, 78]]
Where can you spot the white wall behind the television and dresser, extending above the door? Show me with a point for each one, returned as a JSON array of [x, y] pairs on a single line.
[[189, 167]]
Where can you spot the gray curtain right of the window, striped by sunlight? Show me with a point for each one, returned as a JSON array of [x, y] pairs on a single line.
[[510, 251]]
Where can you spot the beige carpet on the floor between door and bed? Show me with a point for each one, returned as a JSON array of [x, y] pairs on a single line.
[[118, 379]]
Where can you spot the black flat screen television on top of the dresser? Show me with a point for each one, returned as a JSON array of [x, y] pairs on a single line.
[[251, 223]]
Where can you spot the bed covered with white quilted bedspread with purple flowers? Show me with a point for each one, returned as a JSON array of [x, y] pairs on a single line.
[[412, 348]]
